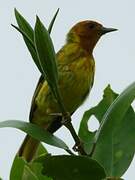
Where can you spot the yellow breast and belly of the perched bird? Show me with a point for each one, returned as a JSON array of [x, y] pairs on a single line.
[[76, 81]]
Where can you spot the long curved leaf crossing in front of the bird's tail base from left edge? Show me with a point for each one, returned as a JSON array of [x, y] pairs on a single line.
[[36, 132]]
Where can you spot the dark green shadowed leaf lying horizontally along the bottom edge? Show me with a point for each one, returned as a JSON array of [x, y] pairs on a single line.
[[71, 167]]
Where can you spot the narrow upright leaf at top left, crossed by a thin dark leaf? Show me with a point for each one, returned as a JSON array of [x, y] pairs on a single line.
[[28, 34]]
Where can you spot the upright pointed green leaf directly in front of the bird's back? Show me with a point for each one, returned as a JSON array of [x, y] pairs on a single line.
[[46, 54]]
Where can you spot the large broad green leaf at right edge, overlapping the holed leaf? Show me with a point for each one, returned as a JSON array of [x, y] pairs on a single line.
[[115, 144]]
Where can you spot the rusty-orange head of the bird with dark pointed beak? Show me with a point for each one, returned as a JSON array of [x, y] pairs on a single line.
[[87, 33]]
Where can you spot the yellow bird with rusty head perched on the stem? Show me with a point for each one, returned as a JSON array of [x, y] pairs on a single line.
[[76, 69]]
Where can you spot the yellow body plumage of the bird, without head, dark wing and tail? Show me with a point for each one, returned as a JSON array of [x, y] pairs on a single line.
[[75, 81]]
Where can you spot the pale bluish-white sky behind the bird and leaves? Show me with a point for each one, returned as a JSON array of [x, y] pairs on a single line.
[[114, 54]]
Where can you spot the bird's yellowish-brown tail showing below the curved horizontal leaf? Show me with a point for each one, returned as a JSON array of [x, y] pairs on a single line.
[[28, 148]]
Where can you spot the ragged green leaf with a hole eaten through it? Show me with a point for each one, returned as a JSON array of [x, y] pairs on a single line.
[[98, 111]]
